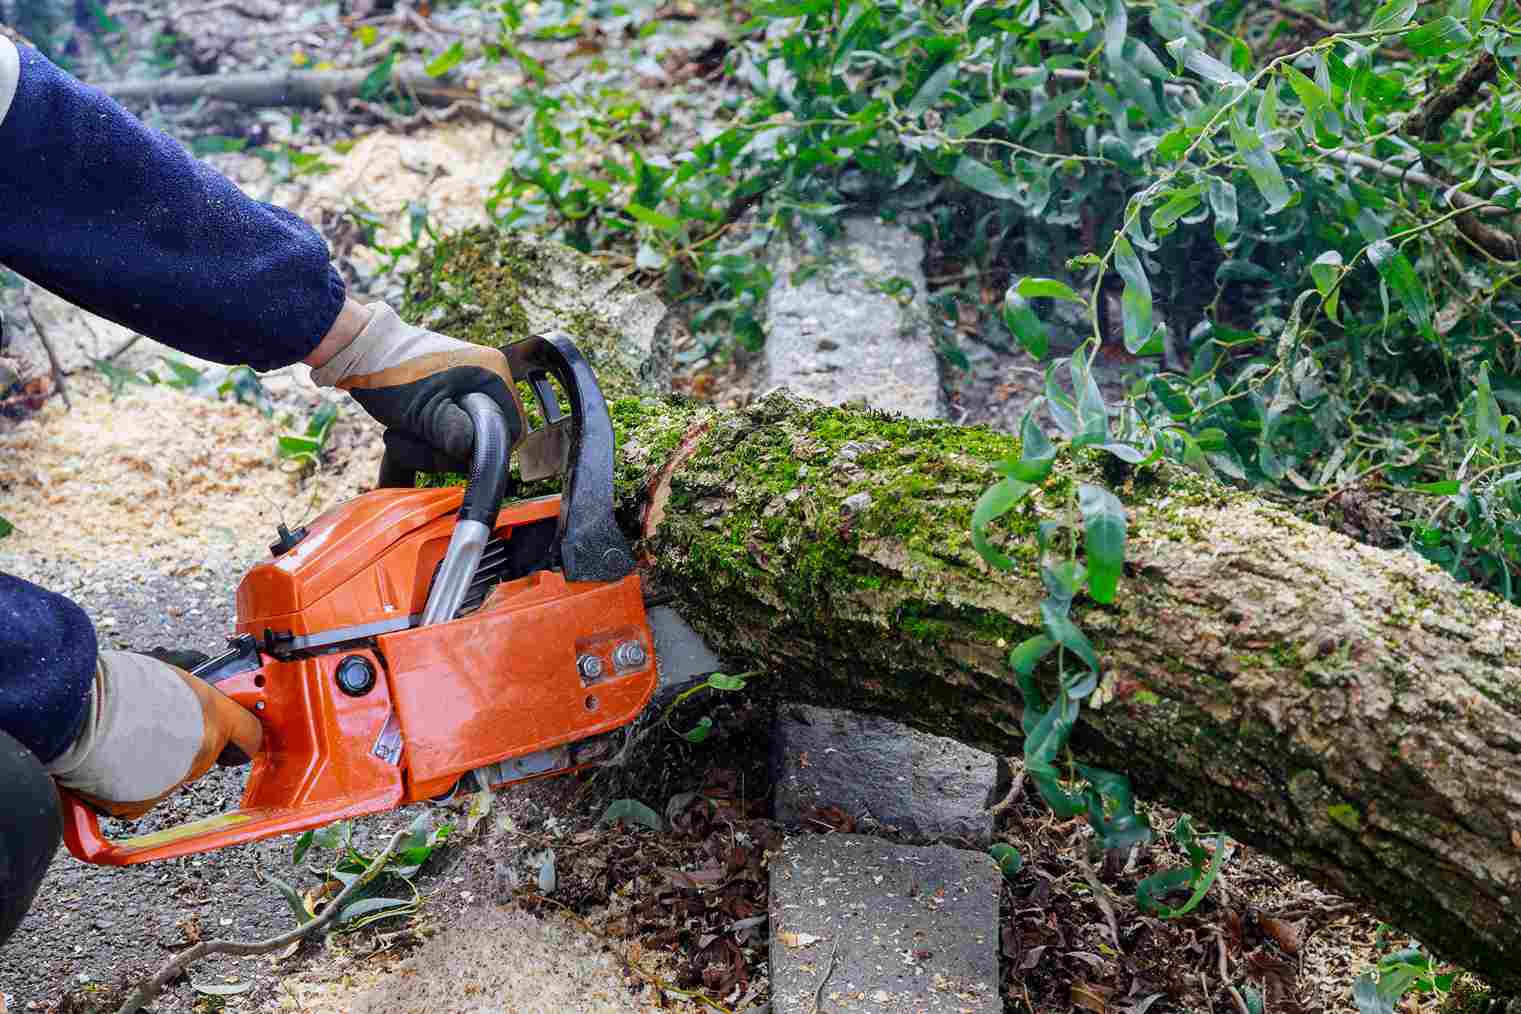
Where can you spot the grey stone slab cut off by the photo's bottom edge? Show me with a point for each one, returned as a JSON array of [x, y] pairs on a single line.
[[897, 930]]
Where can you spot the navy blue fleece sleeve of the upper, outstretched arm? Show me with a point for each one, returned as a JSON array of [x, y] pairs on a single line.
[[124, 223]]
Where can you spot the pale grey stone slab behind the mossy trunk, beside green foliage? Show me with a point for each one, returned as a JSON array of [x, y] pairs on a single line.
[[856, 323]]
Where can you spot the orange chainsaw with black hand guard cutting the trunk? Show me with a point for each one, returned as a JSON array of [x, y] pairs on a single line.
[[414, 642]]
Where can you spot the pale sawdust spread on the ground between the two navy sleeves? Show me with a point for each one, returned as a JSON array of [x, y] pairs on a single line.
[[167, 478]]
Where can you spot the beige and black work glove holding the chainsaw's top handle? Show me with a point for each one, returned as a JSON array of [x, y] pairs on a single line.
[[411, 379]]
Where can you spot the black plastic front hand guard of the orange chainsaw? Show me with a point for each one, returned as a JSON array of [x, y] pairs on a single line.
[[592, 548]]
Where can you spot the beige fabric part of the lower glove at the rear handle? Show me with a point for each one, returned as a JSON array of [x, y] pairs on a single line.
[[142, 734]]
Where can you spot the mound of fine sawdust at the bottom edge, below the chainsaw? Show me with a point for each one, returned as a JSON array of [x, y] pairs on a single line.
[[498, 962]]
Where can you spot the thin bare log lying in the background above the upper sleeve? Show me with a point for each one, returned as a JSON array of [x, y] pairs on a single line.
[[281, 89]]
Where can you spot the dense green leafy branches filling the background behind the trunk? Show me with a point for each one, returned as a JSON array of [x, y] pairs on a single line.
[[1246, 183]]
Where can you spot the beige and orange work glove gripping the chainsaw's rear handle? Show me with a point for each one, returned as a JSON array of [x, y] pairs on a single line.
[[150, 729]]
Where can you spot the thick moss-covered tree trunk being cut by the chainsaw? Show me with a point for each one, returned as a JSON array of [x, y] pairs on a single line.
[[1350, 711]]
